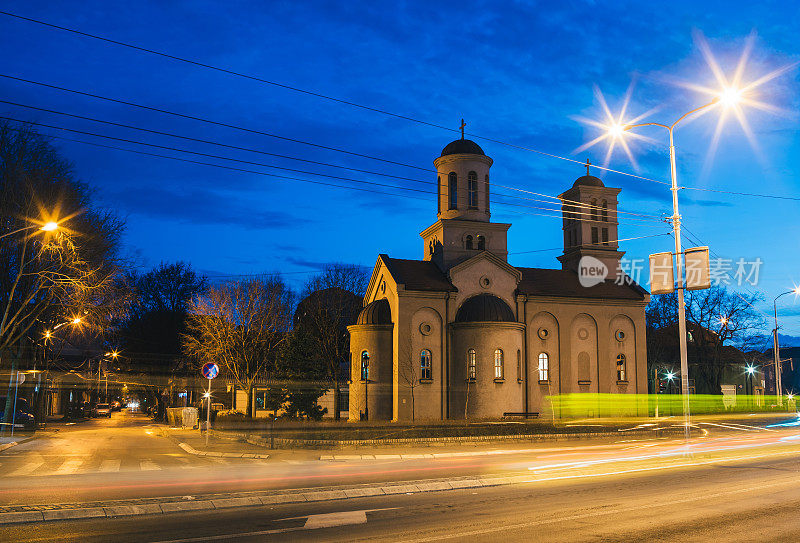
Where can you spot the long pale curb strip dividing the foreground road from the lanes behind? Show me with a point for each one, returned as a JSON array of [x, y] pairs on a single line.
[[211, 503]]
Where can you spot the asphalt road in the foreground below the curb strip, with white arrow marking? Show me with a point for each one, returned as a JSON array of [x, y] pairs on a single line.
[[739, 501]]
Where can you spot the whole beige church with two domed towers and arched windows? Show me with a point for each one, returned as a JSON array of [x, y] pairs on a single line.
[[462, 333]]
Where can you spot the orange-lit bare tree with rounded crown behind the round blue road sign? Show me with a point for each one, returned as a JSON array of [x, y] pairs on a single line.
[[242, 327]]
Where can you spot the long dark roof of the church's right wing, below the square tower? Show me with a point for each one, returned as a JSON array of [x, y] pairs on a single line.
[[564, 283]]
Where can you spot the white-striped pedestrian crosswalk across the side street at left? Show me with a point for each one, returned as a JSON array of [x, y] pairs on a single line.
[[49, 466]]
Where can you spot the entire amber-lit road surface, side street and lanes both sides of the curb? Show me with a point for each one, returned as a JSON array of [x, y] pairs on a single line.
[[738, 485]]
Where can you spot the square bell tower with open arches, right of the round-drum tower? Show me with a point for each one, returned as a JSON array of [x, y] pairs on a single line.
[[590, 226]]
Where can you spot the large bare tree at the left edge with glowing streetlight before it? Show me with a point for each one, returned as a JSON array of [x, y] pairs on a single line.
[[46, 277]]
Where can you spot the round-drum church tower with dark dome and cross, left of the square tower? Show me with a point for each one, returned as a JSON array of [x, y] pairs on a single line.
[[463, 209]]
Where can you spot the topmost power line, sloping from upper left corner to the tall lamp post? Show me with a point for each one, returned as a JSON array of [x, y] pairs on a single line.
[[311, 93]]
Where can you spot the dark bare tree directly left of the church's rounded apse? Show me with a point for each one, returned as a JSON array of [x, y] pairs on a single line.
[[331, 302]]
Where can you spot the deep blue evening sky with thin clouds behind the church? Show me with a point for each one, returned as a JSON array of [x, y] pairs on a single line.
[[518, 72]]
